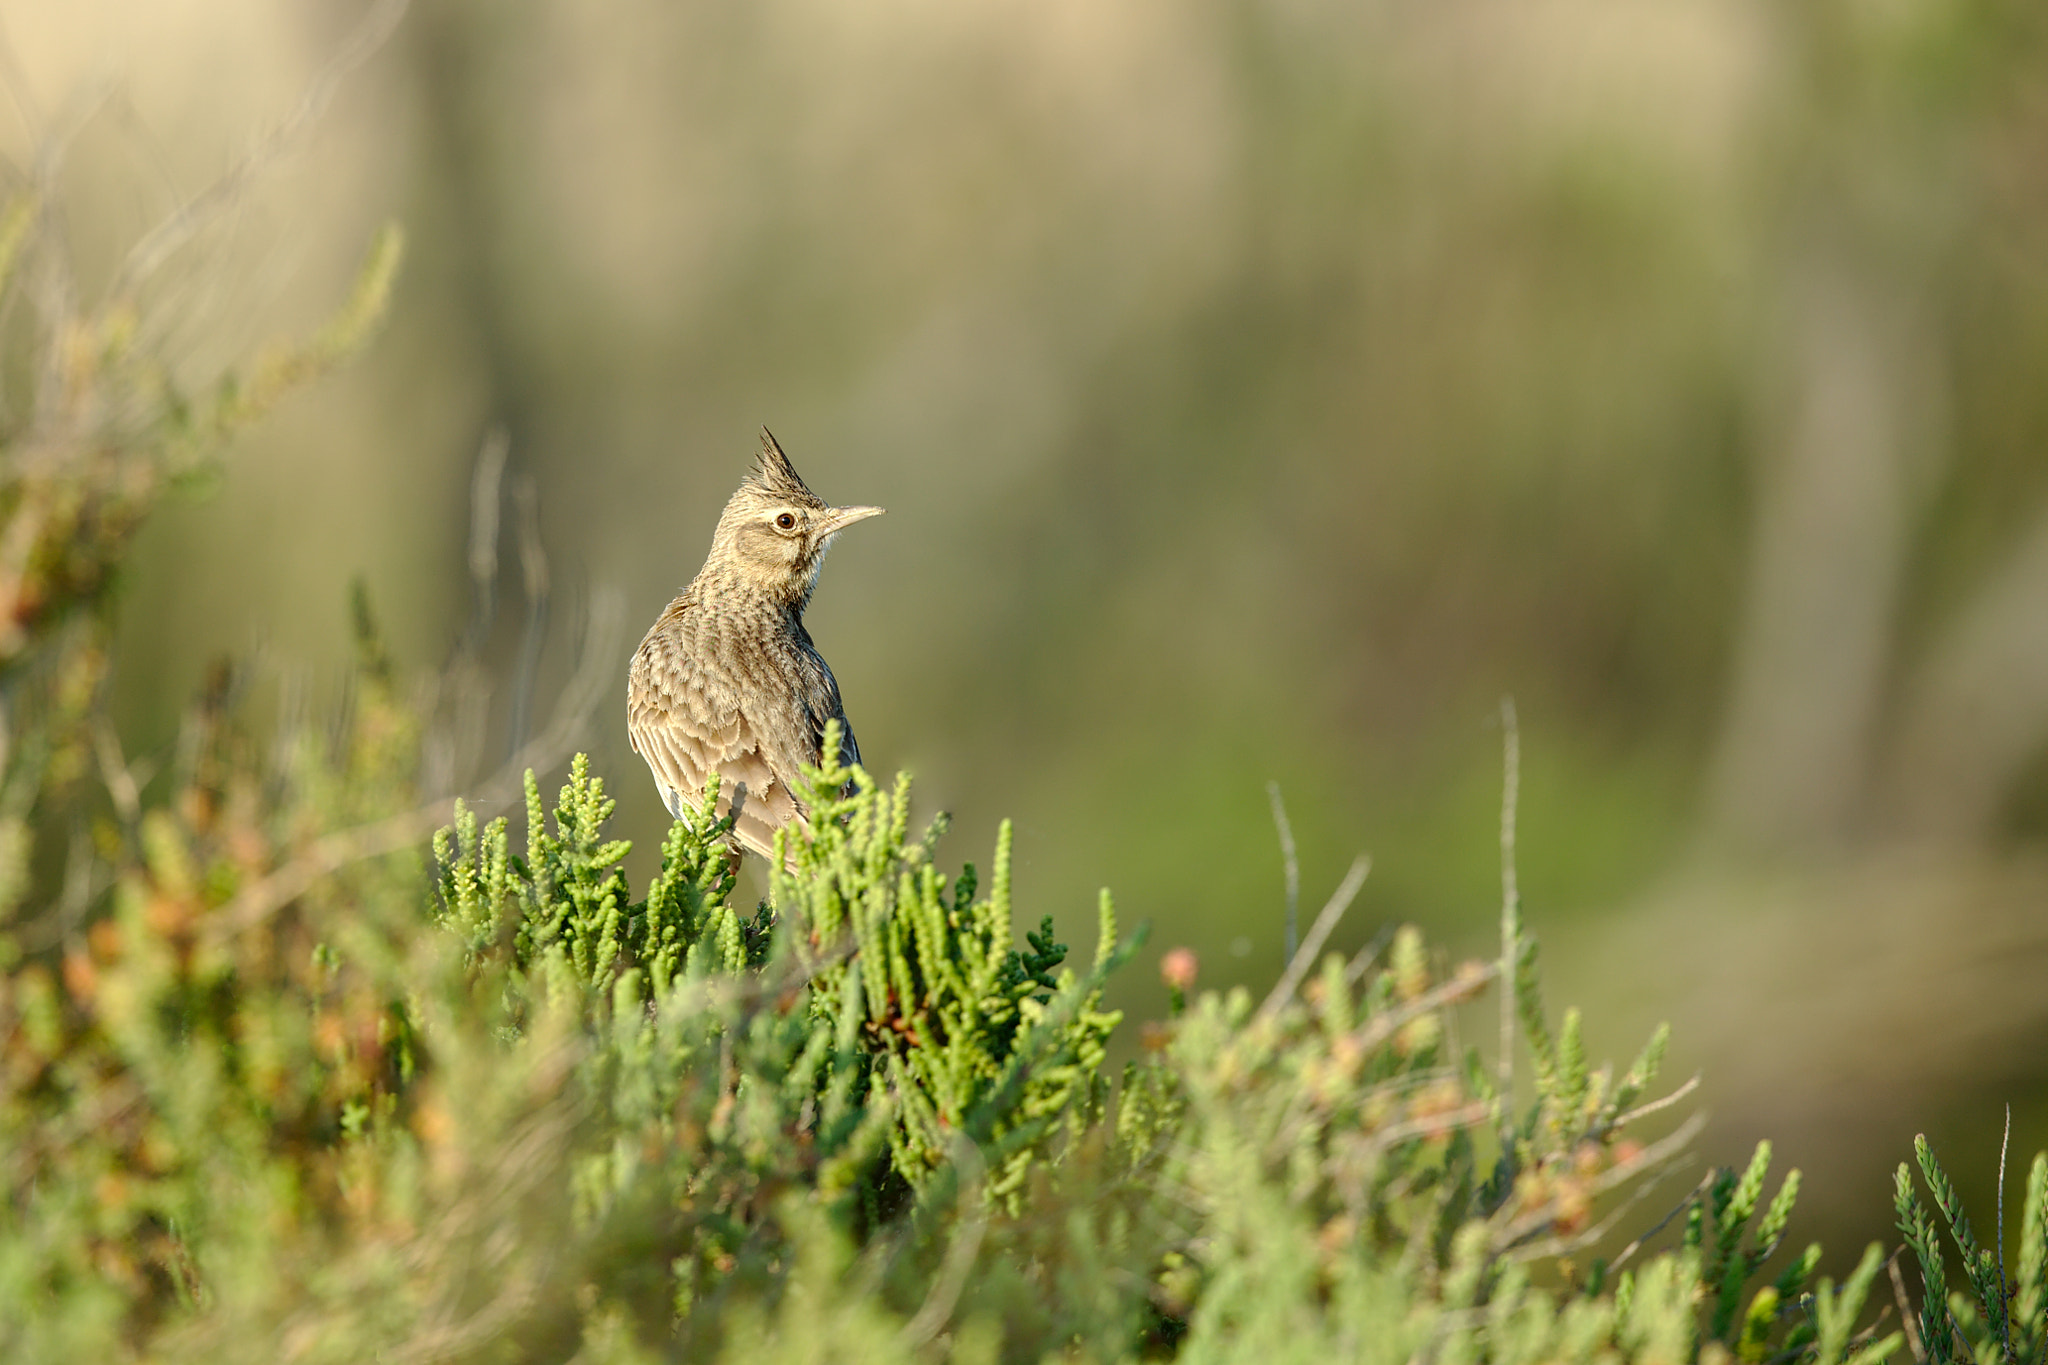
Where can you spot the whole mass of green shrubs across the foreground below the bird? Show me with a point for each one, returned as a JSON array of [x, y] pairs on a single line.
[[269, 1090]]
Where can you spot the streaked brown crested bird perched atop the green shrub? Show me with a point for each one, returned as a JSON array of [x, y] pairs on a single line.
[[728, 680]]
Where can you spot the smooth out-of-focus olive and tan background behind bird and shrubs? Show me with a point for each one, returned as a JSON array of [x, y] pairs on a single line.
[[1261, 390]]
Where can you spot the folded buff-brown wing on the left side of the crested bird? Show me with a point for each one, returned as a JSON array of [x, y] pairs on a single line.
[[685, 725]]
